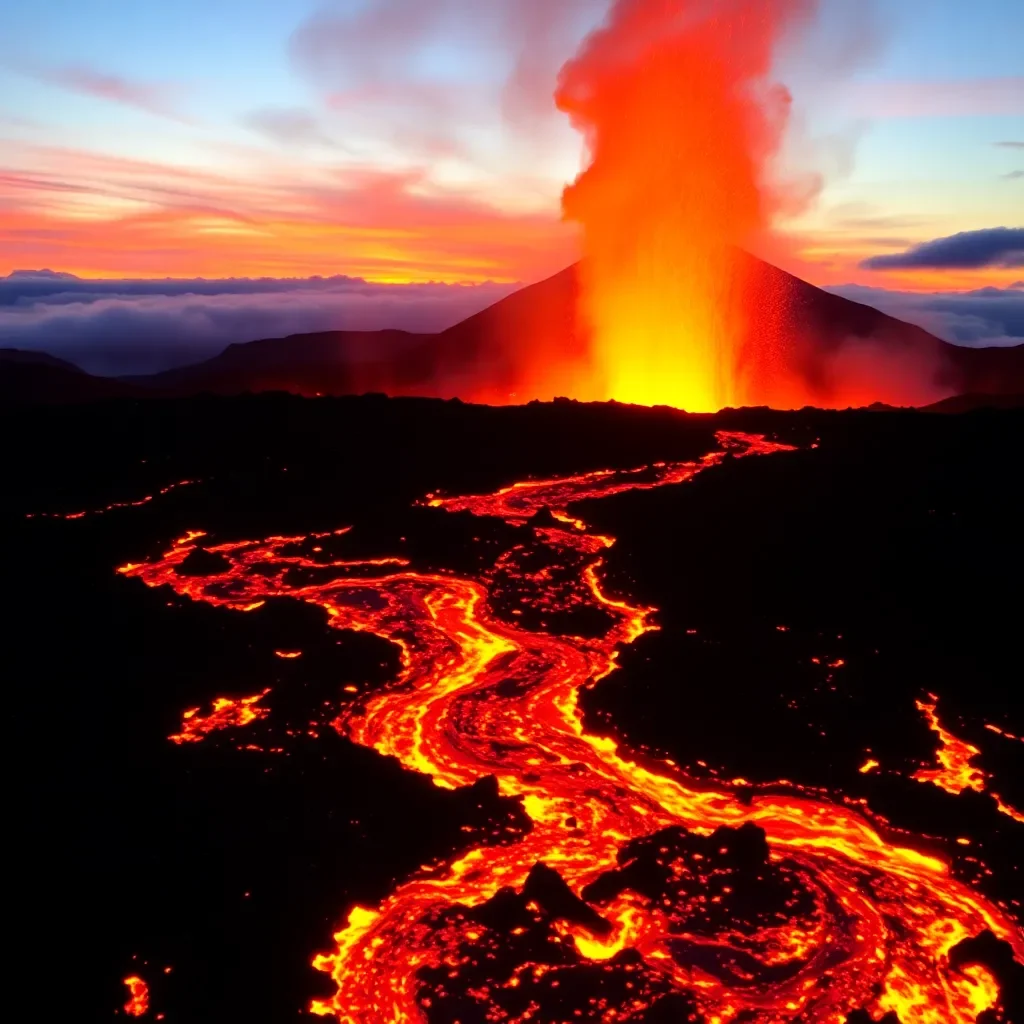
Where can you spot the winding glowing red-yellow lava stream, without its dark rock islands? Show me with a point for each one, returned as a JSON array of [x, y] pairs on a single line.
[[479, 697]]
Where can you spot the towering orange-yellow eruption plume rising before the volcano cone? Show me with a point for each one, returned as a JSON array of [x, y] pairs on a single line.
[[680, 122]]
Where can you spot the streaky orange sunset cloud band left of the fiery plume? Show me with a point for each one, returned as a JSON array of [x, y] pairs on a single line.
[[100, 216]]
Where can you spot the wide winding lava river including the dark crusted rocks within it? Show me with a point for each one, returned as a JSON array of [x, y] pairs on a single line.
[[781, 907]]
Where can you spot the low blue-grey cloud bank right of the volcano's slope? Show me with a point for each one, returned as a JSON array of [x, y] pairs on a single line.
[[979, 319]]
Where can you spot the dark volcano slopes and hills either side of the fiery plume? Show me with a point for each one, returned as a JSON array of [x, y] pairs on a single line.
[[528, 345]]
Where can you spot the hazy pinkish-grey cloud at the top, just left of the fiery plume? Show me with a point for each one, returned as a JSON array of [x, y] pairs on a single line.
[[379, 66]]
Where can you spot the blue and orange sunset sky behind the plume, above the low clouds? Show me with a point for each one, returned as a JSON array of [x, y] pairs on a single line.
[[417, 141]]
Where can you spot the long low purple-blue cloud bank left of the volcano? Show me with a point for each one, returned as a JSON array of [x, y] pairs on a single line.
[[117, 328]]
